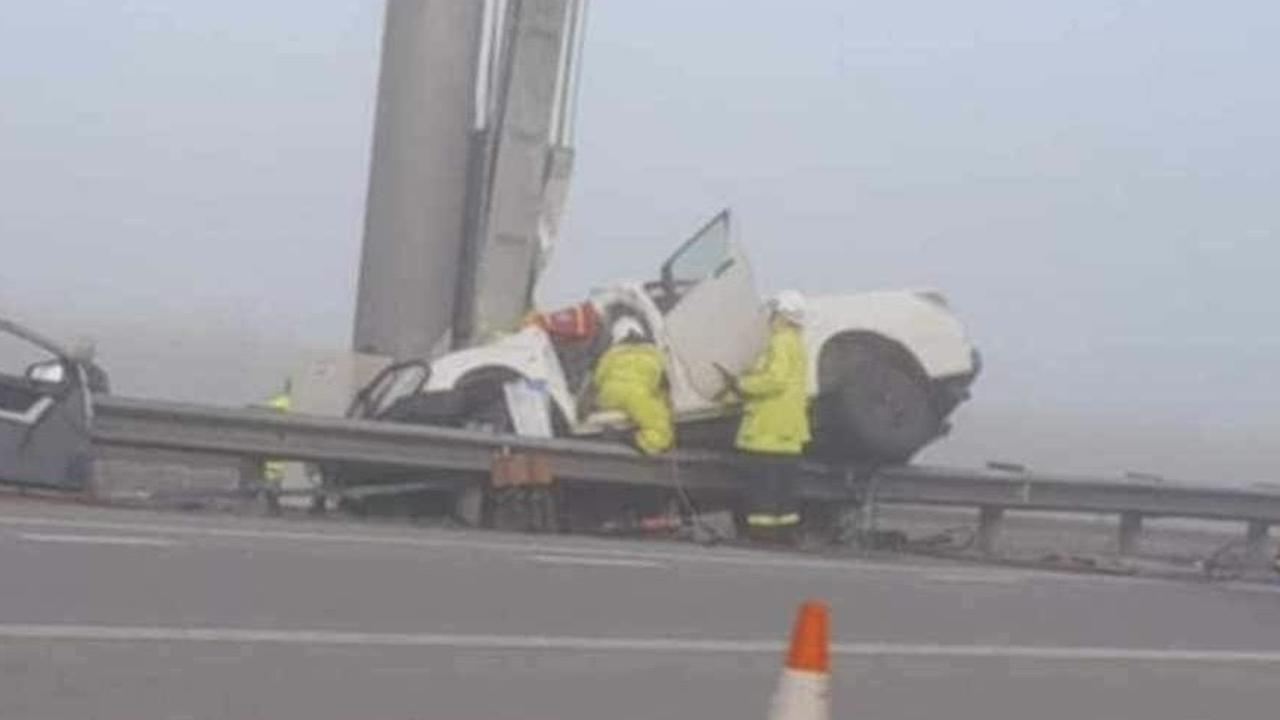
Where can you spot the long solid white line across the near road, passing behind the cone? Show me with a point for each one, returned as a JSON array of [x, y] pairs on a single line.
[[120, 634]]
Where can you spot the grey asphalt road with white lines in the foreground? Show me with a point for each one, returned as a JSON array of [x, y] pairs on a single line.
[[130, 616]]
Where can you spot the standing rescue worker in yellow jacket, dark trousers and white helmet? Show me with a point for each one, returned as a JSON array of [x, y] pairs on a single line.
[[775, 427]]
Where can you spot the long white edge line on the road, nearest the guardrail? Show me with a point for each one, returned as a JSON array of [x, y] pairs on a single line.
[[689, 555]]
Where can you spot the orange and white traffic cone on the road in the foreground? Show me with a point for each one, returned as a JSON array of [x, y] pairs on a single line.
[[804, 690]]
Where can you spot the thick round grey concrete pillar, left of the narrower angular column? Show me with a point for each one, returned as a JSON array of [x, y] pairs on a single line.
[[419, 179]]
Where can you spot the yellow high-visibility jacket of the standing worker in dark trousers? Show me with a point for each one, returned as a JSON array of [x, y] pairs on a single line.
[[776, 395]]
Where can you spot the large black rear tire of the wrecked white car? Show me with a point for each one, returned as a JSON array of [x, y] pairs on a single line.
[[879, 407]]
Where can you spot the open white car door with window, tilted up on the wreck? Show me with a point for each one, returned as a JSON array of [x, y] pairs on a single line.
[[714, 316]]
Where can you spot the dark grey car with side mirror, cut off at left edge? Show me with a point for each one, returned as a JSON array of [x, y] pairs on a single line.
[[44, 413]]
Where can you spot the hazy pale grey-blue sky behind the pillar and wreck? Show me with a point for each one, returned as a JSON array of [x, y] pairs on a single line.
[[1094, 184]]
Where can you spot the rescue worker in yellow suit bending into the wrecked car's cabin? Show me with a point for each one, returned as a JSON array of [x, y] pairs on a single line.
[[632, 379]]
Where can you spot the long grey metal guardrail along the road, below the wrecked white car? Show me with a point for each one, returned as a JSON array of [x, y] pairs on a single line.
[[170, 426]]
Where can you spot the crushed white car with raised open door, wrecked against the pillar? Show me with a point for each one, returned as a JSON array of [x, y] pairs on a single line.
[[888, 368]]
